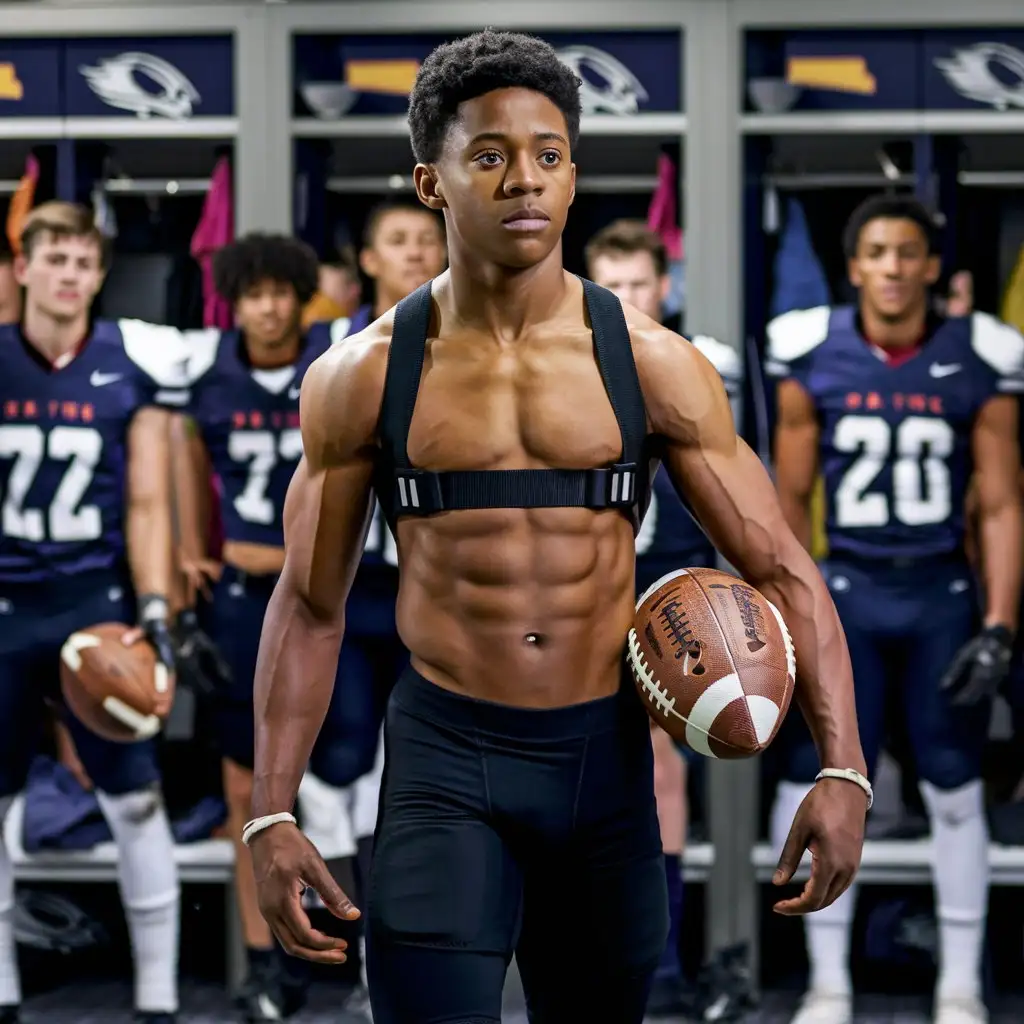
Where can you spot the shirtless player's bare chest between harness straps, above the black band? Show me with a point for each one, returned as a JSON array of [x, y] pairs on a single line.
[[533, 404]]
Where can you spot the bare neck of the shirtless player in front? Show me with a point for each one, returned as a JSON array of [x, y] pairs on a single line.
[[503, 301]]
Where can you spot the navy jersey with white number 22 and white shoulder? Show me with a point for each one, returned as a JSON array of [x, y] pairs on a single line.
[[64, 446]]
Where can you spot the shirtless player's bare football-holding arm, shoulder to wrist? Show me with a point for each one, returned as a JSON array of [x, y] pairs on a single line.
[[734, 498]]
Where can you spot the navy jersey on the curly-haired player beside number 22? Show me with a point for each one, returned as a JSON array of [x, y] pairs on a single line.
[[249, 422]]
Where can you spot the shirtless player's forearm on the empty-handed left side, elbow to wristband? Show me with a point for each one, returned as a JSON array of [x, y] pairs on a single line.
[[295, 673]]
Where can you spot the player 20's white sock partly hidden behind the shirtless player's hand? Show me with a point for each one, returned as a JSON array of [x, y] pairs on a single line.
[[827, 932]]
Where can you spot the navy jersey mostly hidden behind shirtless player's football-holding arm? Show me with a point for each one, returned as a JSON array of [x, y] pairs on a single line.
[[669, 535]]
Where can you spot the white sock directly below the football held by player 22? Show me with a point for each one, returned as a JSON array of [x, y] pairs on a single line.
[[149, 882]]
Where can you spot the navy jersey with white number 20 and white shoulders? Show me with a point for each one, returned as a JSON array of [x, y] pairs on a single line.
[[895, 441]]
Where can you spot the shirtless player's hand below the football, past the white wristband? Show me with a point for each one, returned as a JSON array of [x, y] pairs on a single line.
[[831, 825]]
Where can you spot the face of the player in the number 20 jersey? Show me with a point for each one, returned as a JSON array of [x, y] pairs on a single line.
[[892, 268]]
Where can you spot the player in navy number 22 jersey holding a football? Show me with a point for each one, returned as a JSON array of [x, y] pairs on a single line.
[[86, 538]]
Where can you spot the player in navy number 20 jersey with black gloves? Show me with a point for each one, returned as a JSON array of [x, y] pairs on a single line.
[[900, 410]]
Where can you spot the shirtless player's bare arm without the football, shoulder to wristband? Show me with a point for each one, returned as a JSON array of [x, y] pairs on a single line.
[[327, 514]]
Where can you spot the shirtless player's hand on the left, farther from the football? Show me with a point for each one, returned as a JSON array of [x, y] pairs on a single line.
[[285, 864]]
